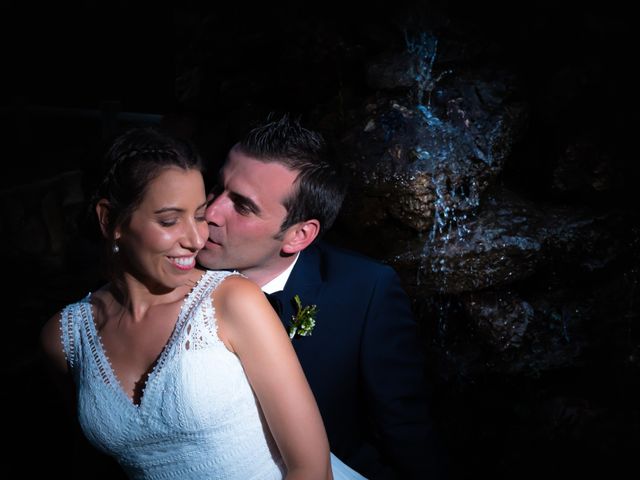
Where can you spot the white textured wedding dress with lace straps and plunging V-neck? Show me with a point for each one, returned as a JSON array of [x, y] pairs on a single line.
[[197, 418]]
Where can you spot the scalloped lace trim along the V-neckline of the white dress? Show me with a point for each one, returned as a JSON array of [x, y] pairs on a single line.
[[104, 363]]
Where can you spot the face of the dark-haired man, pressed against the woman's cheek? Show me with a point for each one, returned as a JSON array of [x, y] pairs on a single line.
[[245, 214]]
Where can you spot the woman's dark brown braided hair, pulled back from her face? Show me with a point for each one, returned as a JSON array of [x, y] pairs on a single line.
[[131, 163]]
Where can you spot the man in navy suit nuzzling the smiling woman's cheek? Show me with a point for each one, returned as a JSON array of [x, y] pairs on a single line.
[[277, 194]]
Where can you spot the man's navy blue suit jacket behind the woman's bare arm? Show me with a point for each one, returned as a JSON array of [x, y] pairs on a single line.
[[364, 363]]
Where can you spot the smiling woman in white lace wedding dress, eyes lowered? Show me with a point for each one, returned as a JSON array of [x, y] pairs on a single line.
[[179, 372]]
